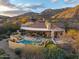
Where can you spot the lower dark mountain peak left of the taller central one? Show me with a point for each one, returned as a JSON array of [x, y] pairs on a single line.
[[28, 15]]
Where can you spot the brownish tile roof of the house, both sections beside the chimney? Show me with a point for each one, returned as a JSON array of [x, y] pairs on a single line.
[[42, 25]]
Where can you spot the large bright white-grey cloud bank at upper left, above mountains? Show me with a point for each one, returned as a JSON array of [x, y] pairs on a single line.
[[9, 9]]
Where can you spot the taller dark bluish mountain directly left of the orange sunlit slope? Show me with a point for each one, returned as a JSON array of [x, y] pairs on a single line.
[[48, 13]]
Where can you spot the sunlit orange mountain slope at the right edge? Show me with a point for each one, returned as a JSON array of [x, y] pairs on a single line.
[[71, 13]]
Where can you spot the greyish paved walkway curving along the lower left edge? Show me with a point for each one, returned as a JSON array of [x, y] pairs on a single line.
[[4, 46]]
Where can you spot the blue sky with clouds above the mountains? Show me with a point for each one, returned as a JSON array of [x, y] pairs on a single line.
[[17, 7]]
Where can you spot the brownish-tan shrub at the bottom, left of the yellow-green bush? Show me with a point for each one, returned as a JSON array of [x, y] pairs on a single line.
[[34, 52]]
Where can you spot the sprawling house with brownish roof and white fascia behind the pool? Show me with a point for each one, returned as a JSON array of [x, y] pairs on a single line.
[[44, 29]]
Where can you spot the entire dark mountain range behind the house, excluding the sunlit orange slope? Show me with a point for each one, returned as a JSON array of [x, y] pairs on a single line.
[[48, 13]]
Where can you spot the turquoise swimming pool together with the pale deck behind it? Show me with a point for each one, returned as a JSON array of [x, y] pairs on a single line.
[[27, 40]]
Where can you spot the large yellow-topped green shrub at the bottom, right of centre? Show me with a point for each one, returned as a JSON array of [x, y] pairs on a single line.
[[53, 52]]
